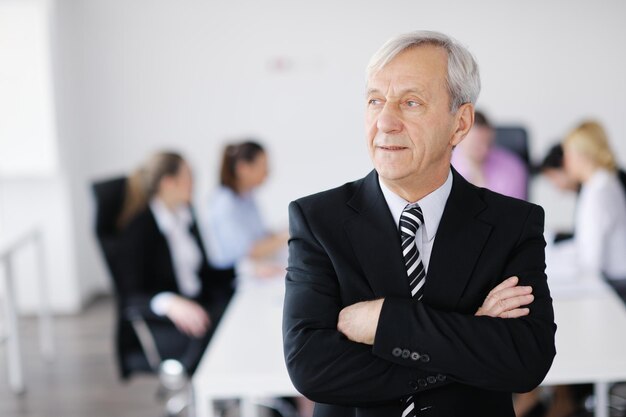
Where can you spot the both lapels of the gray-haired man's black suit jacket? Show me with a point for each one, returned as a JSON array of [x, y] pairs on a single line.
[[458, 244]]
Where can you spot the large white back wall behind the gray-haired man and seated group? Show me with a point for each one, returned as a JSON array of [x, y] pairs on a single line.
[[134, 76]]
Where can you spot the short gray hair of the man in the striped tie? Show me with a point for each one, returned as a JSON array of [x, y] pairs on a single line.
[[463, 79]]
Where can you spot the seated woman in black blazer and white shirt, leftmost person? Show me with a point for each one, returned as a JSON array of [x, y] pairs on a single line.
[[162, 266]]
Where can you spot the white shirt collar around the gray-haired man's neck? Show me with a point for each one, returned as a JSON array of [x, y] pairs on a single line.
[[432, 205]]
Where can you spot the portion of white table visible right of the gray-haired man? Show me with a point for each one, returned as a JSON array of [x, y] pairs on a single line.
[[590, 338]]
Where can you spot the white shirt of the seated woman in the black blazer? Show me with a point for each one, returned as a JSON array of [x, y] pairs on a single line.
[[184, 250]]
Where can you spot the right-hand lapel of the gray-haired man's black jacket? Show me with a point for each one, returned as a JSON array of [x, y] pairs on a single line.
[[458, 244]]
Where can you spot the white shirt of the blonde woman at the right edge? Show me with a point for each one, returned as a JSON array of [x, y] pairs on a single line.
[[600, 229]]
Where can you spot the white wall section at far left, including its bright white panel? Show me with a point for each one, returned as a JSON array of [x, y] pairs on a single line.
[[34, 191]]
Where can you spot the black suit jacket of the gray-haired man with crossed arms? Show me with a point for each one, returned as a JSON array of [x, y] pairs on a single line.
[[345, 248]]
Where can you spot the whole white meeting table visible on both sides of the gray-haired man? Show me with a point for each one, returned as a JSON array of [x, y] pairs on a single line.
[[245, 358]]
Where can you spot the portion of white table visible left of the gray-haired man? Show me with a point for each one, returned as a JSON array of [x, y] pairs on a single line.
[[245, 358]]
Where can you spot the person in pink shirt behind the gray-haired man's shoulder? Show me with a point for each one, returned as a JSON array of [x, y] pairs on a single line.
[[486, 165]]
